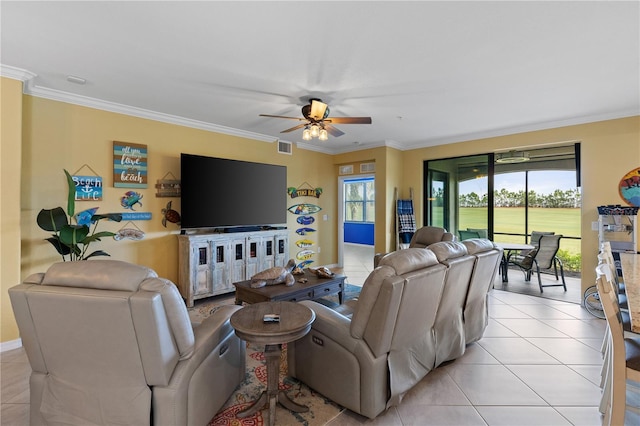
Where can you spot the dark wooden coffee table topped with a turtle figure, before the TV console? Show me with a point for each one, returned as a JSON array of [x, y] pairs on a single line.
[[314, 288]]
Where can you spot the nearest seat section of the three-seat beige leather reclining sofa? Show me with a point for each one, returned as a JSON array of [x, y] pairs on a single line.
[[368, 362]]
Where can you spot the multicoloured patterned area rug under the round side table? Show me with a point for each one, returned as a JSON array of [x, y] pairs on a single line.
[[321, 410]]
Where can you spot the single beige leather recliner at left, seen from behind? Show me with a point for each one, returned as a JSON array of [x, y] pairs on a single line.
[[111, 343]]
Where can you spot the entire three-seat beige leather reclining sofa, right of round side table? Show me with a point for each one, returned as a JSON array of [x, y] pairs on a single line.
[[409, 318]]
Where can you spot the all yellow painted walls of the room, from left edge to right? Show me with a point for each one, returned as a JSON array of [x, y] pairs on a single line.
[[51, 136]]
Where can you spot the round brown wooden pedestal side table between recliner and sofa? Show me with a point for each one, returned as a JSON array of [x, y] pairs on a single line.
[[295, 322]]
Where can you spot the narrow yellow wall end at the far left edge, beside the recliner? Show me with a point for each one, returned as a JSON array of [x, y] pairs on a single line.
[[10, 139]]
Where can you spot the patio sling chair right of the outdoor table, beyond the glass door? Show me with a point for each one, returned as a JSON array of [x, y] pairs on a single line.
[[543, 257]]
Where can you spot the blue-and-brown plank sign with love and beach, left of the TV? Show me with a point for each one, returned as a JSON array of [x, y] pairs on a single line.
[[129, 165]]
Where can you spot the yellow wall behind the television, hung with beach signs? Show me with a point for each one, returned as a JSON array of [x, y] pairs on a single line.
[[59, 136]]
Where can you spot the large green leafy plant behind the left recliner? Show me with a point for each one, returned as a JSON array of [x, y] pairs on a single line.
[[73, 233]]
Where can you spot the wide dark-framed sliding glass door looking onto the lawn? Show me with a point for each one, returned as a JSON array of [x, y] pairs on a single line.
[[506, 197]]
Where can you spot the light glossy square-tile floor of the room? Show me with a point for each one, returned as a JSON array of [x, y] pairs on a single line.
[[537, 364]]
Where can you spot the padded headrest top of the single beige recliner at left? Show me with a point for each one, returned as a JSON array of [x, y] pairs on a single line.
[[98, 274]]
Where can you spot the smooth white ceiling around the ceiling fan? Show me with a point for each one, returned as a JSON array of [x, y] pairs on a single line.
[[426, 72]]
